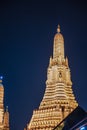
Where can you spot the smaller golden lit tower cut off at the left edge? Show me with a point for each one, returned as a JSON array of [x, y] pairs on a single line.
[[4, 116]]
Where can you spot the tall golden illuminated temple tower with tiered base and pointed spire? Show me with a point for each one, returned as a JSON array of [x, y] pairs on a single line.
[[58, 100]]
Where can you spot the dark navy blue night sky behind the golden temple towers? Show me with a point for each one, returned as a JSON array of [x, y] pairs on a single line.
[[27, 29]]
